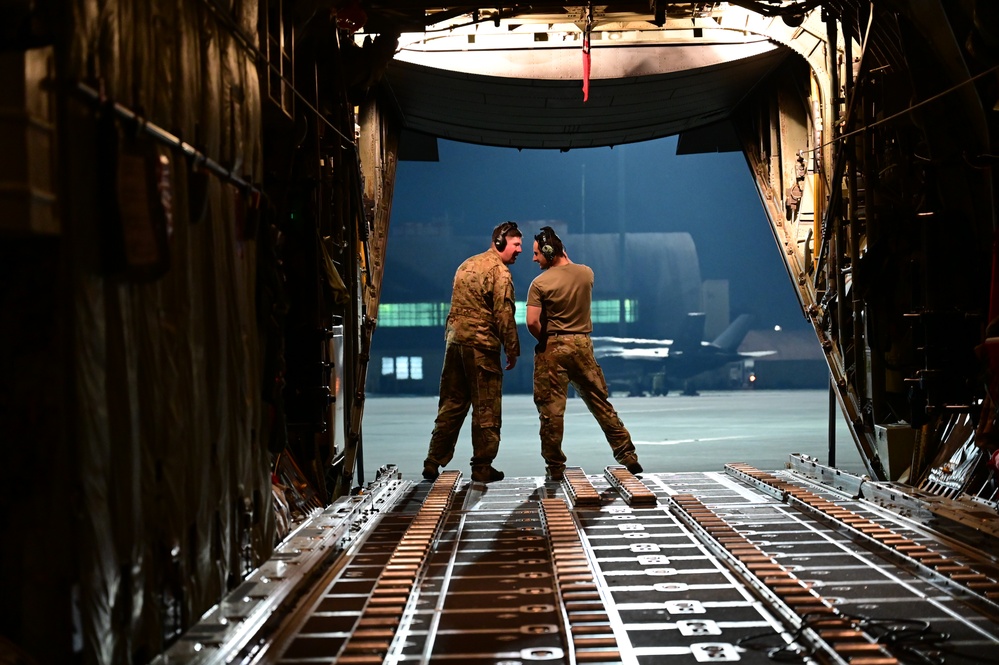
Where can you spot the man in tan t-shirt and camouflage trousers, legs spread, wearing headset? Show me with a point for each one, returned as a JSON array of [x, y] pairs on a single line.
[[558, 315]]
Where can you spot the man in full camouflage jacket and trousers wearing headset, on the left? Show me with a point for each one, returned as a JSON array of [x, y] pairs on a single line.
[[481, 320]]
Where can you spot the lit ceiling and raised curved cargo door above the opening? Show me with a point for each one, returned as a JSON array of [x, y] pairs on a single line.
[[514, 76]]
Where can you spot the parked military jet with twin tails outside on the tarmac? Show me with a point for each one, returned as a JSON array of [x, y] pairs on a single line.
[[654, 365]]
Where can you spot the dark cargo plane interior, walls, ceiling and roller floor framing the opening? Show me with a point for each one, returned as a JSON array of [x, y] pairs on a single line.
[[197, 200]]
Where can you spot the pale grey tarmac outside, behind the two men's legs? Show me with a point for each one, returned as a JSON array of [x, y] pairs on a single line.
[[672, 433]]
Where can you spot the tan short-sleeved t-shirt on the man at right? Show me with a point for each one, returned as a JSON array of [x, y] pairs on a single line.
[[563, 293]]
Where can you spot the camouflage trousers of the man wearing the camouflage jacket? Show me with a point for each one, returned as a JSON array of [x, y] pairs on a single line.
[[470, 378]]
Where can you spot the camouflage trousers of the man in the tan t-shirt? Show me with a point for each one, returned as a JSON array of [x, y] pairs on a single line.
[[564, 360]]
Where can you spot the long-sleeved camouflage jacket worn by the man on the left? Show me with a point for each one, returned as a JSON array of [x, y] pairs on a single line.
[[482, 305]]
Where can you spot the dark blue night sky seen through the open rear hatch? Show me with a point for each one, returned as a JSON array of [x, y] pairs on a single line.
[[637, 187]]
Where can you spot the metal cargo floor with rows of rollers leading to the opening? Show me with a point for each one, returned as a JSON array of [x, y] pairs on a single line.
[[806, 564]]
